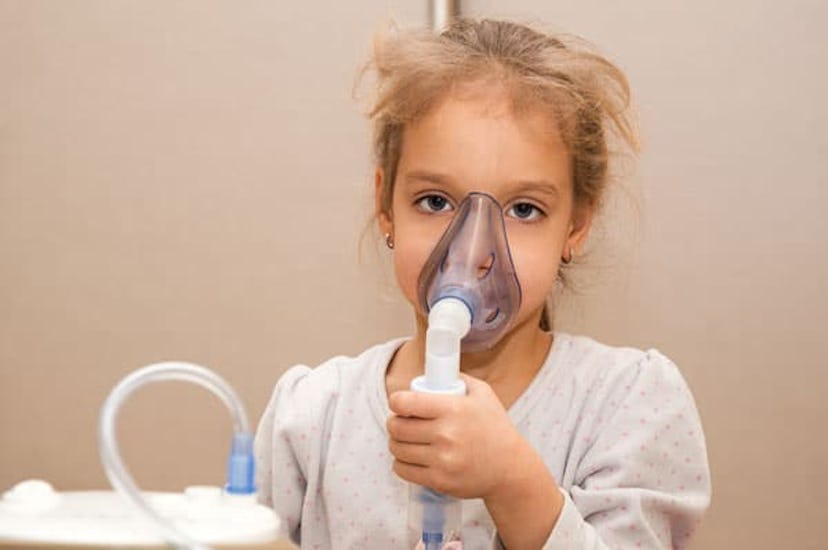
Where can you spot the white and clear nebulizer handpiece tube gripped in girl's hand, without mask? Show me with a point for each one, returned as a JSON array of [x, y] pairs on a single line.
[[434, 515]]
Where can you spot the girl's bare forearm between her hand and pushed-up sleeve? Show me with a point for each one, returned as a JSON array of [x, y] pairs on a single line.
[[526, 507]]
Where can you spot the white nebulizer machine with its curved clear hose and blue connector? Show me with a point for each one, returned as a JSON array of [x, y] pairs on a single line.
[[34, 515]]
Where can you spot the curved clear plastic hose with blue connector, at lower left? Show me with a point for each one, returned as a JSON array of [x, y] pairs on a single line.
[[240, 469]]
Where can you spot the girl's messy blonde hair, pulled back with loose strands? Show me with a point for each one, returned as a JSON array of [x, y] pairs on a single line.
[[588, 96]]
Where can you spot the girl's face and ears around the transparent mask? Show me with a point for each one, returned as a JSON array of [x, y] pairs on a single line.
[[475, 142]]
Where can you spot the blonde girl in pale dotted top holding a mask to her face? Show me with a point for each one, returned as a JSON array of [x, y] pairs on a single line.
[[560, 442]]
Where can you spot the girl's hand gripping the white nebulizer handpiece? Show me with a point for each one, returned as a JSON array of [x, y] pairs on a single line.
[[463, 446]]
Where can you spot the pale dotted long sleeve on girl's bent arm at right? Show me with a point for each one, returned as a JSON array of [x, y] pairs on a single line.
[[643, 479]]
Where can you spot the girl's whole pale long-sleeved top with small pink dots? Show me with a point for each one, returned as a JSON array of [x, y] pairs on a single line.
[[617, 427]]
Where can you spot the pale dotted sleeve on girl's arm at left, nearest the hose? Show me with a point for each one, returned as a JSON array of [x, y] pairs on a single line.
[[281, 479]]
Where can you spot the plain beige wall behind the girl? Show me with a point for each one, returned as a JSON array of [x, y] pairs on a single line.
[[189, 180]]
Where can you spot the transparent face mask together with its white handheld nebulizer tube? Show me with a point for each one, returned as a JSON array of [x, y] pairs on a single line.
[[470, 290]]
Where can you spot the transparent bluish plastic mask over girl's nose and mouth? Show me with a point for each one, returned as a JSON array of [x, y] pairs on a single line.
[[472, 262]]
